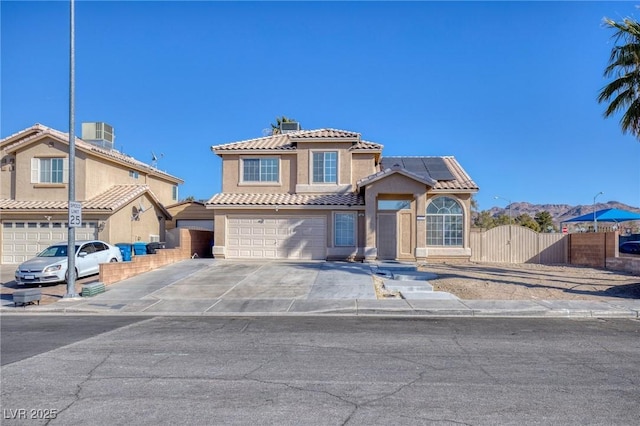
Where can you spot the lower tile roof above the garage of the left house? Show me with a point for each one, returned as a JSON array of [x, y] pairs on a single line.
[[109, 201]]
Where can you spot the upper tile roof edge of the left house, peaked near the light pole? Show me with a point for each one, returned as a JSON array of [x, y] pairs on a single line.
[[37, 131]]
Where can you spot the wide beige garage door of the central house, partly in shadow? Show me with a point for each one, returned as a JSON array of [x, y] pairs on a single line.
[[281, 238]]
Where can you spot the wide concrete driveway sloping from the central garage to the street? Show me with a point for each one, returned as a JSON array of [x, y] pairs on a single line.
[[226, 286]]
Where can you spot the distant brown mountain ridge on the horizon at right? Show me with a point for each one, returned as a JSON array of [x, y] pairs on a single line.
[[559, 212]]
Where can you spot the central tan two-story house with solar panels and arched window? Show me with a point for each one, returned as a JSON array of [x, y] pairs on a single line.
[[328, 194]]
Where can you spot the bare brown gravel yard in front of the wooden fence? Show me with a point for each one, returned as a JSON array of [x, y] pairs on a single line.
[[532, 282]]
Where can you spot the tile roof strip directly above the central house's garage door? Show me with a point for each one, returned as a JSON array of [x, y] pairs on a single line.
[[227, 199]]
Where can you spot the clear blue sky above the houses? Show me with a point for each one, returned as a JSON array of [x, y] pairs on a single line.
[[508, 88]]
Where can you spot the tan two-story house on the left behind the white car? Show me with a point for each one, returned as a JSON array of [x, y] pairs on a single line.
[[122, 198]]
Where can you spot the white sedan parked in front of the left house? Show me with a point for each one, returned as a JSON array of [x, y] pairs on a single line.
[[50, 265]]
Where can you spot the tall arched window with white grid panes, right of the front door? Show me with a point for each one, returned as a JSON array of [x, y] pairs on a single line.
[[444, 222]]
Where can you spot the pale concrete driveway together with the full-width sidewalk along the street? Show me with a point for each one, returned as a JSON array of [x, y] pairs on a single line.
[[236, 288]]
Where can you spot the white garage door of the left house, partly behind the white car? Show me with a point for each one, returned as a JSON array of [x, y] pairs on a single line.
[[21, 240]]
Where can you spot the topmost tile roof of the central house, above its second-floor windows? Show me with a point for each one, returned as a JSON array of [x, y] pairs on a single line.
[[287, 141]]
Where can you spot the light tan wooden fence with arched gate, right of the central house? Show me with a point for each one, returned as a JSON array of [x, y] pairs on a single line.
[[517, 244]]
